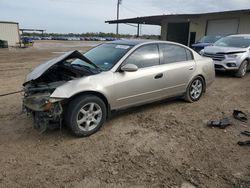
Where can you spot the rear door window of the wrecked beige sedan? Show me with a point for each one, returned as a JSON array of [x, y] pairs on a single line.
[[171, 53]]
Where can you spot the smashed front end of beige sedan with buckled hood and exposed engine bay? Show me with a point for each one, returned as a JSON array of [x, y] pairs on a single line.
[[43, 81]]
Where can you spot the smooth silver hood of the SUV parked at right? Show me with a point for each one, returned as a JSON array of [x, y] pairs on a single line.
[[225, 50]]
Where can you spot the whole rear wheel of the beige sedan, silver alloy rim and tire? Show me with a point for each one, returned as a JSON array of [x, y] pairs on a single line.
[[194, 90]]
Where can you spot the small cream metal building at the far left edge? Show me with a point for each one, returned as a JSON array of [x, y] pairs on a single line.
[[9, 31]]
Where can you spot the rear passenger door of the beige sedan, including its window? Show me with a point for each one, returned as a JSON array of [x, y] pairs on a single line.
[[178, 66]]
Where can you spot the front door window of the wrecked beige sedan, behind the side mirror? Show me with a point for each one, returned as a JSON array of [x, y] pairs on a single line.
[[145, 56]]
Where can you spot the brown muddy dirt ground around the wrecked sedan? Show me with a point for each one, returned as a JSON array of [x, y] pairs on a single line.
[[165, 144]]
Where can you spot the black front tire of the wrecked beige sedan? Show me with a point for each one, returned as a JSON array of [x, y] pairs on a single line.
[[73, 112]]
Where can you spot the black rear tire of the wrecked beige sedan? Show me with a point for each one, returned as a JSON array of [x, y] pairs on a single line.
[[189, 96]]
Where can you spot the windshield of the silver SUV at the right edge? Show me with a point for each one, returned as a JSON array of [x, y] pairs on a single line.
[[234, 41]]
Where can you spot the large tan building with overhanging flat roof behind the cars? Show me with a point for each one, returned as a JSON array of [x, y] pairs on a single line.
[[188, 28]]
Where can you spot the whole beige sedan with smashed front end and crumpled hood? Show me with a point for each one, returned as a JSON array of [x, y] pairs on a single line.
[[81, 90]]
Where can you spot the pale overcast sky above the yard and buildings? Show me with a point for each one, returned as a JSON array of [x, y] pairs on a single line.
[[78, 16]]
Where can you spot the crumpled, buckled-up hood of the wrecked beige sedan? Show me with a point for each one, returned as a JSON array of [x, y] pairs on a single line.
[[41, 69]]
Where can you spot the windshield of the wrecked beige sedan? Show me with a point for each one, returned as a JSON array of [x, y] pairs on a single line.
[[105, 56]]
